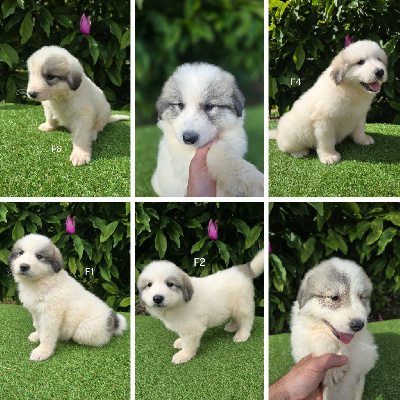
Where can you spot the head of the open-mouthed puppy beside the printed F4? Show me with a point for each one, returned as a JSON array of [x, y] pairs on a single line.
[[362, 64]]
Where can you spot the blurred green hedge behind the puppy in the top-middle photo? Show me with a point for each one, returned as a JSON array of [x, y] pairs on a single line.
[[229, 34]]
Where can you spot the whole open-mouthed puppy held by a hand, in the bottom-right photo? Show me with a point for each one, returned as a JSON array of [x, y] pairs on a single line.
[[330, 316]]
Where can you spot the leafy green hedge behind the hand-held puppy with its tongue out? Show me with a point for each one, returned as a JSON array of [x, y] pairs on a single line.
[[303, 234]]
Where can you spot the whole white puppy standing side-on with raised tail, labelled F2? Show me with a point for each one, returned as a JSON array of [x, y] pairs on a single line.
[[188, 306]]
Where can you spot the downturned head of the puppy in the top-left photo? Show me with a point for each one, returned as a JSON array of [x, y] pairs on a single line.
[[54, 74]]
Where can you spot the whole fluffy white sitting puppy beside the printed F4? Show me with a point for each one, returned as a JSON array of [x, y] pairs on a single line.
[[336, 106]]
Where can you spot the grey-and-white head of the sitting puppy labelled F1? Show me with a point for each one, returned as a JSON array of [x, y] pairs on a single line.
[[34, 257]]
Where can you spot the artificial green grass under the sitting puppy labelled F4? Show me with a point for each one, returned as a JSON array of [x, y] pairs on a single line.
[[365, 171]]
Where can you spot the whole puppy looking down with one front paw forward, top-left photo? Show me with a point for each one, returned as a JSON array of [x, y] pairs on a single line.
[[69, 98]]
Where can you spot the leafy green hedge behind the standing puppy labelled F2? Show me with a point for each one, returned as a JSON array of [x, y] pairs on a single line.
[[178, 232]]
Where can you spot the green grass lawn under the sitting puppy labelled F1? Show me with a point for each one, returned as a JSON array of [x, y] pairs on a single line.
[[73, 372]]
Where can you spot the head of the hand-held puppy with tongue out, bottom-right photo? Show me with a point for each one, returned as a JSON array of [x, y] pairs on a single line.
[[337, 293]]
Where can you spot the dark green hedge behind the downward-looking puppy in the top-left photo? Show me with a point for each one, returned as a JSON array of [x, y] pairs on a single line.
[[27, 25]]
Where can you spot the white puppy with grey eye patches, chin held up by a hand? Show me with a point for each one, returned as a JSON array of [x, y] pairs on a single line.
[[200, 103]]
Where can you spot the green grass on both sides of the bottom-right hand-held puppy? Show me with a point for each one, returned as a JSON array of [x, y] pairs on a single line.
[[382, 382]]
